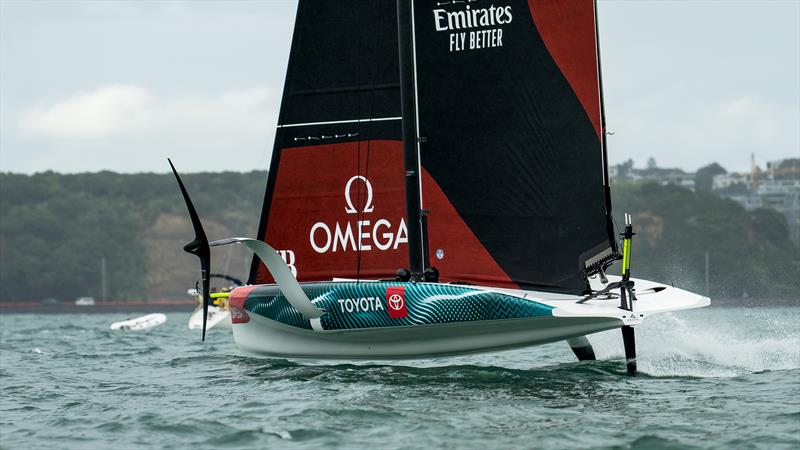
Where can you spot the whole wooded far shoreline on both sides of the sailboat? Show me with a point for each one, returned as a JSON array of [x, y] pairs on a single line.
[[55, 230]]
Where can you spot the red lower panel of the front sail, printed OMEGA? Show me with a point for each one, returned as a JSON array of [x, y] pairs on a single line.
[[338, 210]]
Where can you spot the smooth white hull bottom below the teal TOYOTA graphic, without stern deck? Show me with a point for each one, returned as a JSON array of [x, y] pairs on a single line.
[[266, 338]]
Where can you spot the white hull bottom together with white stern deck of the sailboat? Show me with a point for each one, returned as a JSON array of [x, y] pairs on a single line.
[[263, 337]]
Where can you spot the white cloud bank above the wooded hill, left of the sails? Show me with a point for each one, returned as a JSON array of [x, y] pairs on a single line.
[[131, 128]]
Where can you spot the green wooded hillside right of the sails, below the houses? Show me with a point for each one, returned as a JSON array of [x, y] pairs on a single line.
[[749, 253]]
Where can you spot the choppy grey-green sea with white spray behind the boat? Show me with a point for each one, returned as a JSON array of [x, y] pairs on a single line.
[[714, 378]]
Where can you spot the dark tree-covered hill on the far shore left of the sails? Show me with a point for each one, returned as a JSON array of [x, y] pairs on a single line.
[[55, 229]]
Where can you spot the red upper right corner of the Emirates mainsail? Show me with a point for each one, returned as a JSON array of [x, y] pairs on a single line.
[[568, 31]]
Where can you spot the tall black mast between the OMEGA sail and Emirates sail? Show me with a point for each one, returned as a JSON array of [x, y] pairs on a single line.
[[405, 33]]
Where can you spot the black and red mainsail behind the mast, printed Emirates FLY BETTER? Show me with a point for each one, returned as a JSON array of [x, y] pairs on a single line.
[[511, 150]]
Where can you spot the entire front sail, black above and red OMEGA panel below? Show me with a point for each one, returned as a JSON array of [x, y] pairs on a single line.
[[335, 198]]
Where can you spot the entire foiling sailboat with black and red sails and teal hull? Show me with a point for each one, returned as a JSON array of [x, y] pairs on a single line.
[[438, 186]]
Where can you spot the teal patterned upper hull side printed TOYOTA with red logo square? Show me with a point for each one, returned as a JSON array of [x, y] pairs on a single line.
[[352, 305]]
